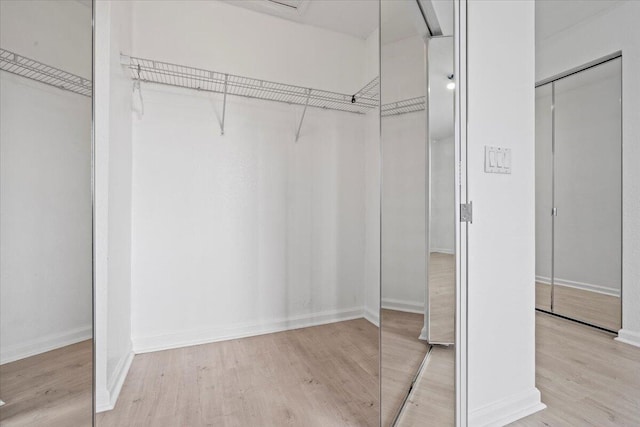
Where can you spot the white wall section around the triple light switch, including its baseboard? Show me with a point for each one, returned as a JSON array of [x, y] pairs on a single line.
[[501, 240]]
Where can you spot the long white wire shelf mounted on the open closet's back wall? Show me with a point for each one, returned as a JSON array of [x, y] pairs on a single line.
[[152, 71]]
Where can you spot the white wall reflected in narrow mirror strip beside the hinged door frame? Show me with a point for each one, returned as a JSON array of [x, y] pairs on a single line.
[[442, 227]]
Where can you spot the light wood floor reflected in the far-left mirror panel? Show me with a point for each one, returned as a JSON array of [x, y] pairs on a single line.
[[51, 389]]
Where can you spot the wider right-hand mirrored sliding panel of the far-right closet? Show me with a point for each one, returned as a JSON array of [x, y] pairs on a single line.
[[587, 229]]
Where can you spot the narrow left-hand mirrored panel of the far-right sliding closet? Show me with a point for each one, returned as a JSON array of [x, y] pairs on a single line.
[[544, 195]]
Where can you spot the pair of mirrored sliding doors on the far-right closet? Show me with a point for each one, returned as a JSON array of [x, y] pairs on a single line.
[[579, 195]]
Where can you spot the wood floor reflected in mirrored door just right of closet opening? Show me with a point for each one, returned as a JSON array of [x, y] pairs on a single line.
[[402, 355]]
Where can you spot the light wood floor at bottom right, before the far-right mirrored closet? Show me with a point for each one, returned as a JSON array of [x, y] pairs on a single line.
[[585, 377]]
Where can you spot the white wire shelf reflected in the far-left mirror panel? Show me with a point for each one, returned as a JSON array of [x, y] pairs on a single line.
[[14, 63]]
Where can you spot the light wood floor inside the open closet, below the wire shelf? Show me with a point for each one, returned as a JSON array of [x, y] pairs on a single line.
[[319, 376]]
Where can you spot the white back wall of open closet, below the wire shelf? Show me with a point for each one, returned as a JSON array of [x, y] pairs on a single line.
[[248, 232]]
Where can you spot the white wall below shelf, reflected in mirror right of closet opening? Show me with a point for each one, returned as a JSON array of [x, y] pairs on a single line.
[[403, 211]]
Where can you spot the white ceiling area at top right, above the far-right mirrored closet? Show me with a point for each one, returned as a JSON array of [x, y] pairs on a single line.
[[554, 16]]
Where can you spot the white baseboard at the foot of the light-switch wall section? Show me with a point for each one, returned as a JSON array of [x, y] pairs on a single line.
[[507, 410]]
